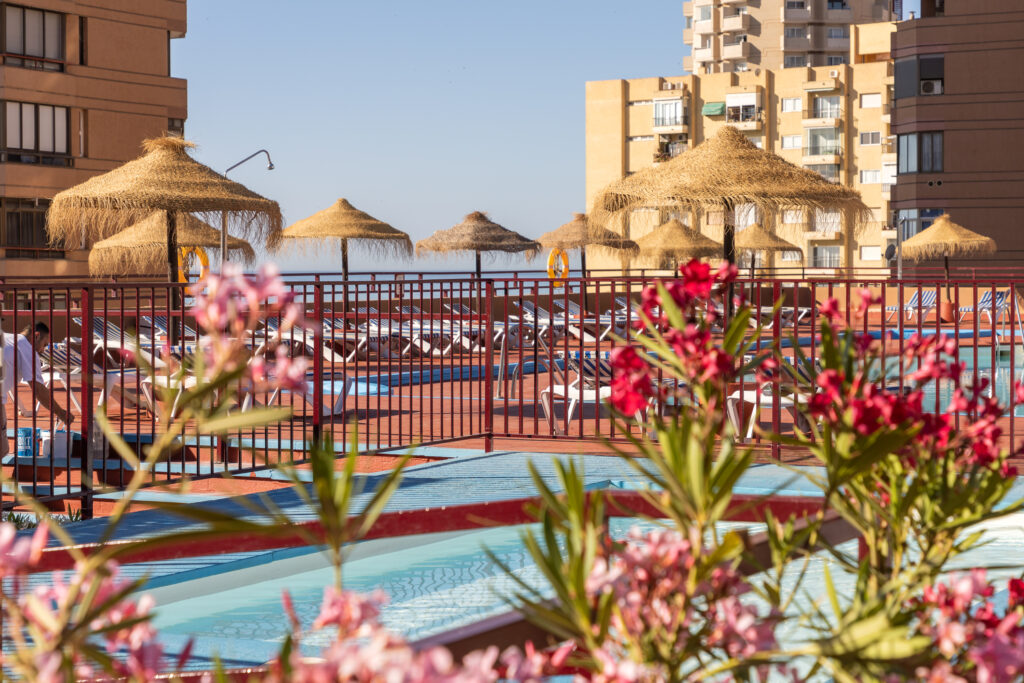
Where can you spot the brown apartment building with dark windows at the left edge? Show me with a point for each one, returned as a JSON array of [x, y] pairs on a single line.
[[82, 84]]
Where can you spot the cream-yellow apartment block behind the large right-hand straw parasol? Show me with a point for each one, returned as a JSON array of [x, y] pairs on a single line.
[[834, 120]]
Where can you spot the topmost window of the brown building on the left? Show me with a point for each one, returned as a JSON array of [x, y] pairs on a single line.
[[33, 38]]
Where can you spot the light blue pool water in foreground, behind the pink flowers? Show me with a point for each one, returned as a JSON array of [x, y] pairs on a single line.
[[435, 584]]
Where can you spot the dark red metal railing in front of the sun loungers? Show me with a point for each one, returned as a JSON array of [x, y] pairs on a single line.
[[433, 361]]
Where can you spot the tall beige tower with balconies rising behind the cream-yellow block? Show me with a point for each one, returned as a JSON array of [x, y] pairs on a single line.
[[748, 35]]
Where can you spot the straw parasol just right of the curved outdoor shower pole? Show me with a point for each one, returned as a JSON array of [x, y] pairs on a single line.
[[345, 223]]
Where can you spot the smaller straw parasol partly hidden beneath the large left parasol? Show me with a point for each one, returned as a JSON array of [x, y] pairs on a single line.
[[142, 249]]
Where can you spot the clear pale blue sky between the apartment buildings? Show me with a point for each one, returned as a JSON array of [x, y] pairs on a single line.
[[417, 113]]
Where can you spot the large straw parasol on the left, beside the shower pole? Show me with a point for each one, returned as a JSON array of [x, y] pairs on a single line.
[[165, 179]]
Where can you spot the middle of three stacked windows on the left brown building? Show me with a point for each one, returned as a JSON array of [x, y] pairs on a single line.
[[35, 135]]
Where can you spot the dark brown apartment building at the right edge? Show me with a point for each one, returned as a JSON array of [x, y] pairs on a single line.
[[959, 115]]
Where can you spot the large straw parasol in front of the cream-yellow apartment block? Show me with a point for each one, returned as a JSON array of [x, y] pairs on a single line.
[[721, 174]]
